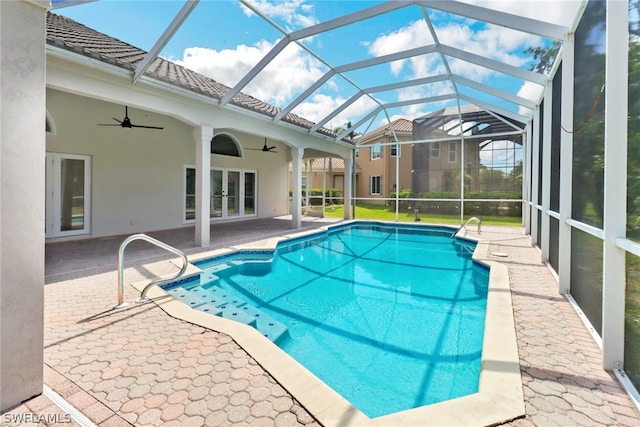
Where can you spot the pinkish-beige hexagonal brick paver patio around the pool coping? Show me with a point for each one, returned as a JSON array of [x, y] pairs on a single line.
[[137, 365]]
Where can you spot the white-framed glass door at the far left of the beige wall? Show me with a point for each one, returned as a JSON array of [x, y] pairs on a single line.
[[68, 200]]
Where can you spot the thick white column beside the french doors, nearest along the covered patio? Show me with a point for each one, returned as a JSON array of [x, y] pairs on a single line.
[[203, 136]]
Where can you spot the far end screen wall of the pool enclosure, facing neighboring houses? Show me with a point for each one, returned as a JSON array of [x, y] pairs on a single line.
[[459, 162]]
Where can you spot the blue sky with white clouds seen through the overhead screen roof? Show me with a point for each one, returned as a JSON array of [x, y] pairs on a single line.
[[223, 39]]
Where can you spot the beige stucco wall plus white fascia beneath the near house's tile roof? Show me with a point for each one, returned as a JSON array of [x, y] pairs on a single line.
[[138, 175]]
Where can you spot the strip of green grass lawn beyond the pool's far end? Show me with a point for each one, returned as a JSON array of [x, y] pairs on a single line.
[[382, 213]]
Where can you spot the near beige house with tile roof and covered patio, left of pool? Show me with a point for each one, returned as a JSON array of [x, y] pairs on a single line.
[[105, 178]]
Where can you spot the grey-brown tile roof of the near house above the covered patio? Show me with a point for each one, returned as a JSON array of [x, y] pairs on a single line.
[[70, 35]]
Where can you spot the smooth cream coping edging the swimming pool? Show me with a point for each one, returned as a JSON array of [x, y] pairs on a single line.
[[499, 399]]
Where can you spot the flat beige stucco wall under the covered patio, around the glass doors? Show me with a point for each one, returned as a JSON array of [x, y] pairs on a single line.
[[138, 175]]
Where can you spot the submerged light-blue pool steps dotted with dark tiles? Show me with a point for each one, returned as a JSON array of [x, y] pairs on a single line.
[[220, 302]]
